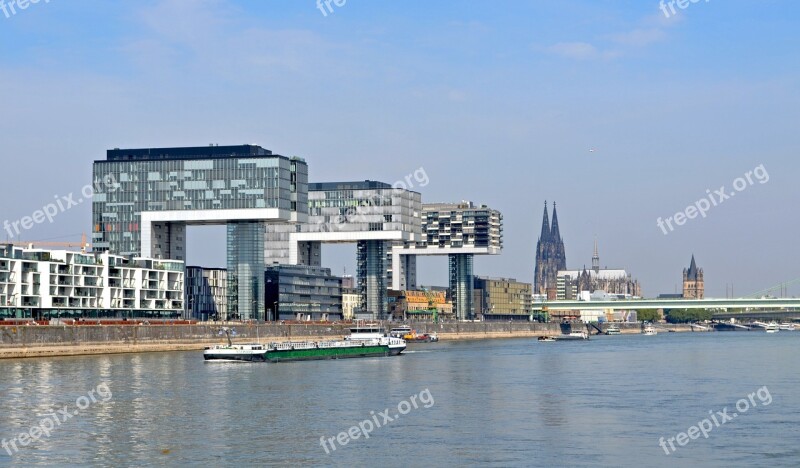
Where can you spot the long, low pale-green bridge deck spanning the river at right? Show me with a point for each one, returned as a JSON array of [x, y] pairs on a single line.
[[640, 304]]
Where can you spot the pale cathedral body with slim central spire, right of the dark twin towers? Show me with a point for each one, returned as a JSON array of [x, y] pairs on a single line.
[[571, 284]]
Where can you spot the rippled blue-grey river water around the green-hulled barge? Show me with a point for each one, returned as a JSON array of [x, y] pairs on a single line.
[[606, 402]]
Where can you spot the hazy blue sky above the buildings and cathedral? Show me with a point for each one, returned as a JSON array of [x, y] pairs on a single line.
[[620, 113]]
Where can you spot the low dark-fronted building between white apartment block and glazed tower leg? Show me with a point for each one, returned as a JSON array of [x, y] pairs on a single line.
[[207, 294]]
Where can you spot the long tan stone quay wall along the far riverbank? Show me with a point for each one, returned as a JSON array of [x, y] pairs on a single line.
[[38, 341]]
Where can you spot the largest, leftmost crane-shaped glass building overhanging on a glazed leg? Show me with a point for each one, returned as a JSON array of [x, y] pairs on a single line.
[[155, 193]]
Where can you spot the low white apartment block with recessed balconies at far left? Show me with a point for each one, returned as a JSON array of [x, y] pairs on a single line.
[[42, 284]]
